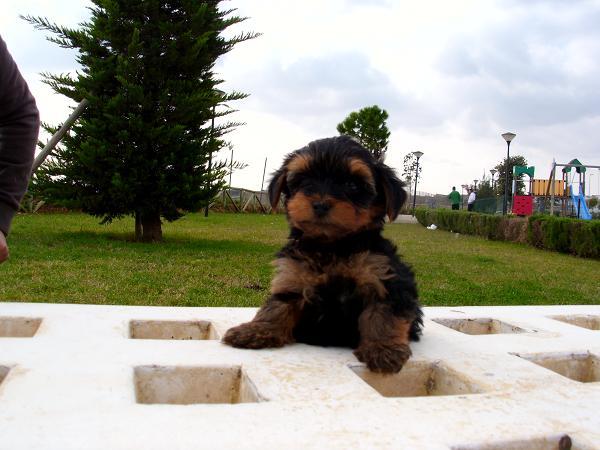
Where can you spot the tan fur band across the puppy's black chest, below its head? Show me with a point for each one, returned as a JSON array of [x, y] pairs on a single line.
[[368, 270]]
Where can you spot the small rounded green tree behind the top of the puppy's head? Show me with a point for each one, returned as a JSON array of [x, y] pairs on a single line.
[[369, 128]]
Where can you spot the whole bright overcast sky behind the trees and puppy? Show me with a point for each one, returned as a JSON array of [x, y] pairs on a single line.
[[453, 76]]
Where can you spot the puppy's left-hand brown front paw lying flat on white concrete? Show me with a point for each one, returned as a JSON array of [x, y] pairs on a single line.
[[256, 335]]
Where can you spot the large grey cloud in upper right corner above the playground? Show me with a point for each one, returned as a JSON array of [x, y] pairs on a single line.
[[533, 68]]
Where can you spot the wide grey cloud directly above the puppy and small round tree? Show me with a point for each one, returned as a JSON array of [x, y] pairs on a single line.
[[320, 91]]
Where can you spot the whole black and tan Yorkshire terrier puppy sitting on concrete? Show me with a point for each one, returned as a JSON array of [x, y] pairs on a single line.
[[338, 282]]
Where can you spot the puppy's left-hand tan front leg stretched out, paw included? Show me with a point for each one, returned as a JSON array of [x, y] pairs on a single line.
[[271, 327]]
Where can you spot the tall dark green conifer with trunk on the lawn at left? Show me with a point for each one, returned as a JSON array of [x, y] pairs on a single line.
[[143, 145]]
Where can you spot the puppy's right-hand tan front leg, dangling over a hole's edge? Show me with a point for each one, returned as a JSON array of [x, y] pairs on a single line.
[[383, 338]]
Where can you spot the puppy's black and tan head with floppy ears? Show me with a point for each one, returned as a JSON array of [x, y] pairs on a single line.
[[334, 187]]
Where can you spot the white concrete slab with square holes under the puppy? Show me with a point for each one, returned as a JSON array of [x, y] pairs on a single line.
[[71, 377]]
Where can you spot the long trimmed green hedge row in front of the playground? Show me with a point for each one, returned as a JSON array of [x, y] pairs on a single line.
[[577, 237]]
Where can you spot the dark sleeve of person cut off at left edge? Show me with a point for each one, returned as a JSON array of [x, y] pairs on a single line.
[[19, 128]]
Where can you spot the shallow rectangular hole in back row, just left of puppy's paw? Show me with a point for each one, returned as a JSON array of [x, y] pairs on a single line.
[[171, 329]]
